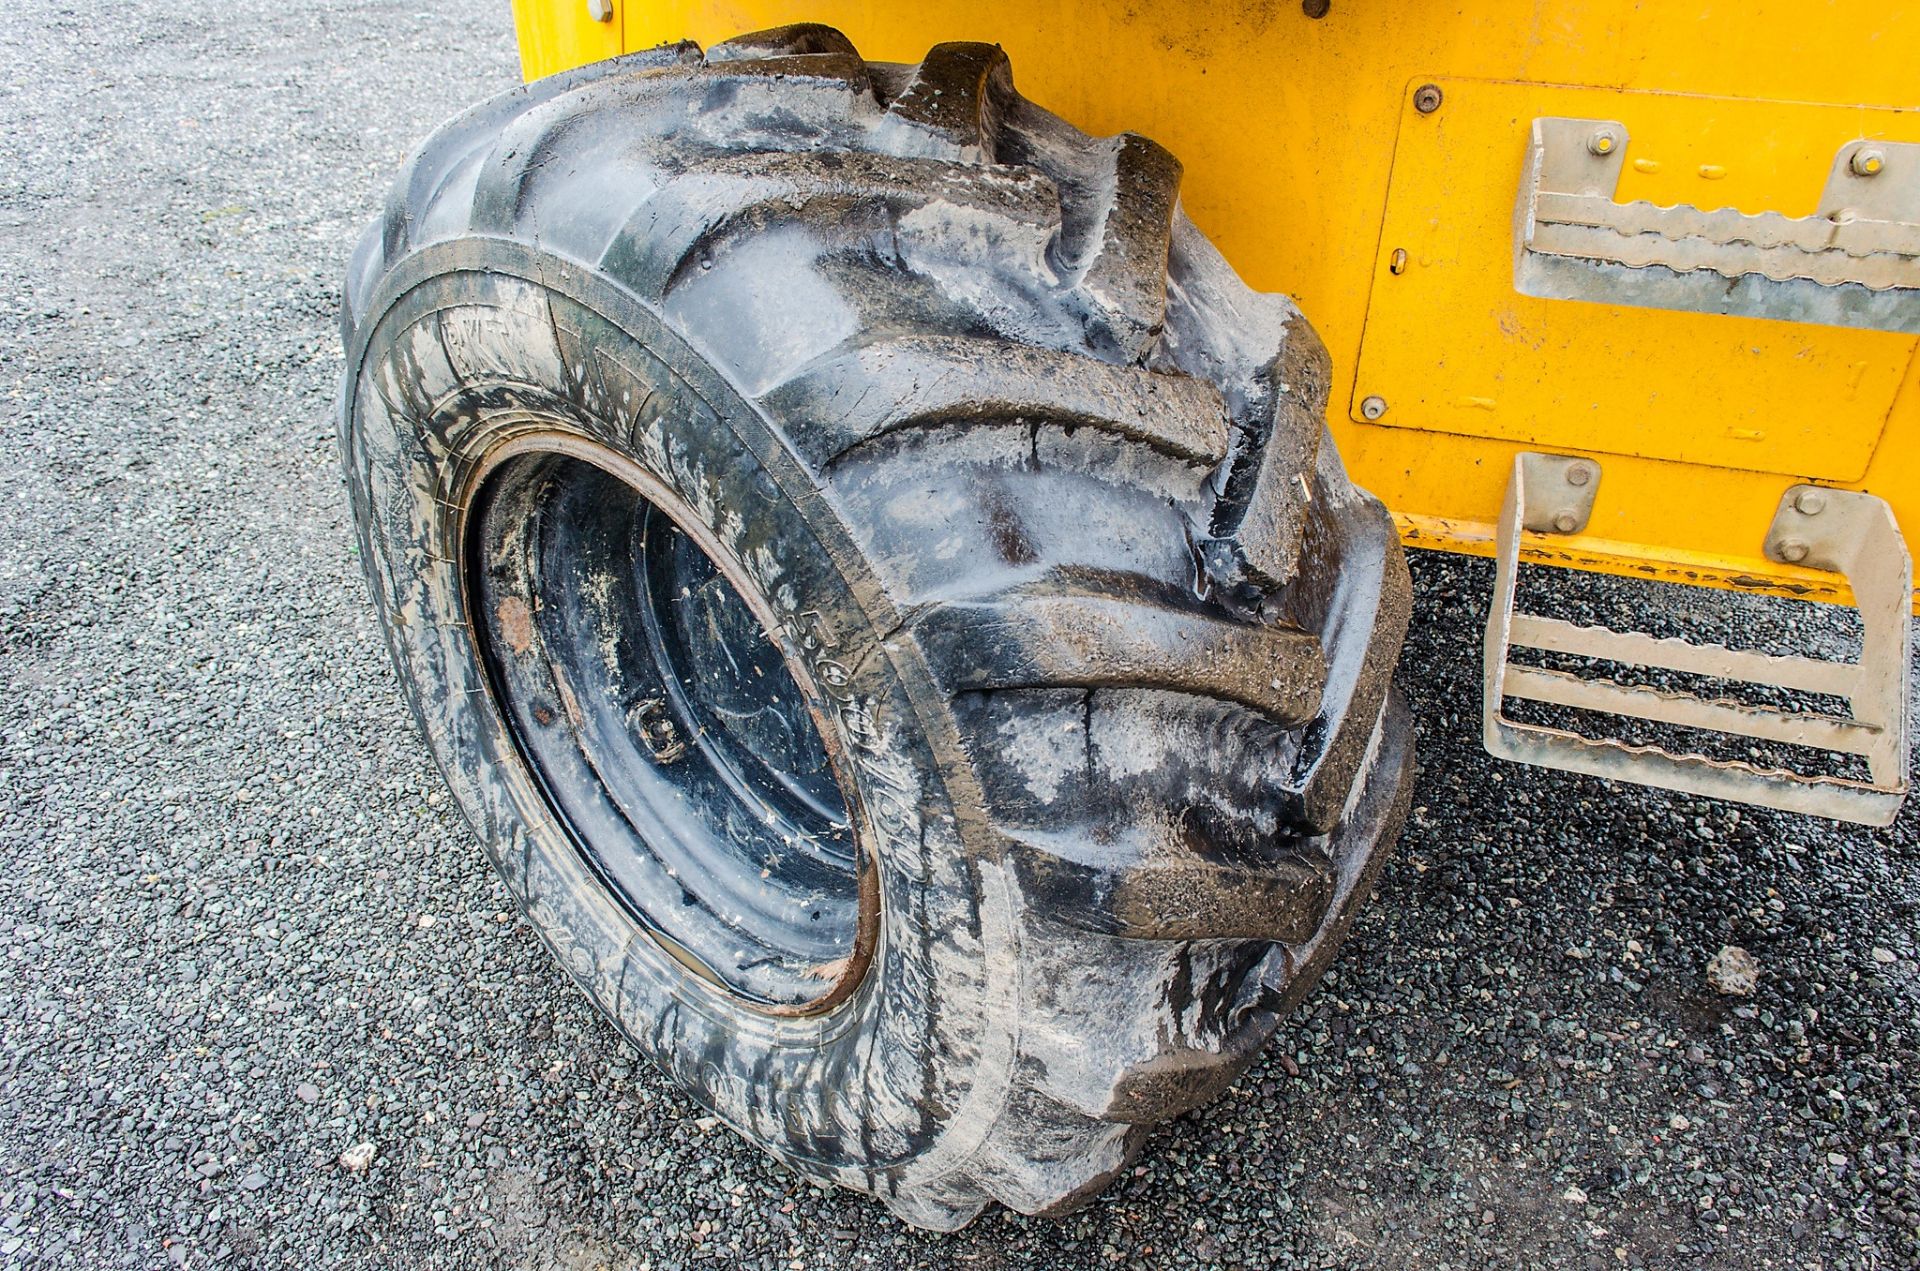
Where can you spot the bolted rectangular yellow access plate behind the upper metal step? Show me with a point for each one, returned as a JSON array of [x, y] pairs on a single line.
[[1451, 347]]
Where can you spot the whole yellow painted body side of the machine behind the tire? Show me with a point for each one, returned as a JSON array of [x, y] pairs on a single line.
[[1308, 166]]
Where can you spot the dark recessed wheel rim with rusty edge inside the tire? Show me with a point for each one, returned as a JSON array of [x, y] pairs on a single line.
[[667, 725]]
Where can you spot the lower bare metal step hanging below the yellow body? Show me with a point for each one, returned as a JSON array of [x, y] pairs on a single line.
[[1838, 531]]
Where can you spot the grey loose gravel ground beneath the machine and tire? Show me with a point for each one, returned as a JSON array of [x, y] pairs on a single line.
[[245, 930]]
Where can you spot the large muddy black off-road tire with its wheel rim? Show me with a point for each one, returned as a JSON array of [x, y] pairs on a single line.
[[880, 588]]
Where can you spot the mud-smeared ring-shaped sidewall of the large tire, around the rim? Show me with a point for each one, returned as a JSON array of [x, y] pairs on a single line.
[[473, 343]]
